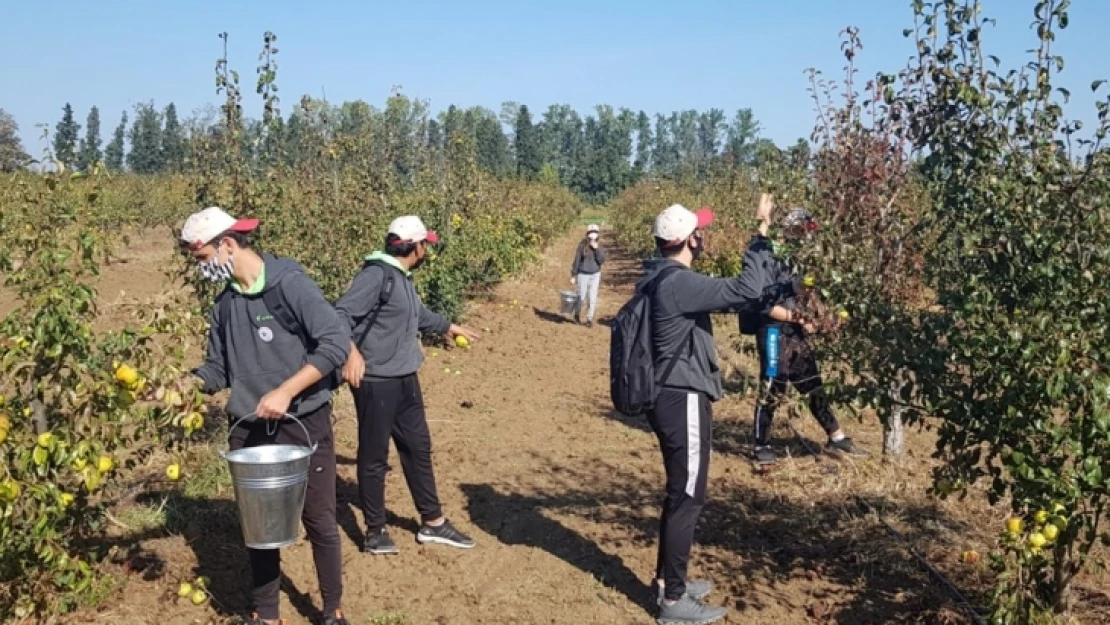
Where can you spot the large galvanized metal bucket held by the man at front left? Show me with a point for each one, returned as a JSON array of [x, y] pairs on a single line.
[[271, 483]]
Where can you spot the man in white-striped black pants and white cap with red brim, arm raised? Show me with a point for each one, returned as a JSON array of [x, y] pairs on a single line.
[[681, 301]]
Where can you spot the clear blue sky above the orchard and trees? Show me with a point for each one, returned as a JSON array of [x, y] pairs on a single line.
[[655, 56]]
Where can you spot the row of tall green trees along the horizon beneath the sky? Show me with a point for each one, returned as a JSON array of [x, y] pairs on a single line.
[[597, 155]]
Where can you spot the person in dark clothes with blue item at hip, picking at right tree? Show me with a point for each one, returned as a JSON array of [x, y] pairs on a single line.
[[788, 326]]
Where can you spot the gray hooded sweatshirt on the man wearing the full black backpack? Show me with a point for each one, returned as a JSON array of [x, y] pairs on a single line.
[[684, 300]]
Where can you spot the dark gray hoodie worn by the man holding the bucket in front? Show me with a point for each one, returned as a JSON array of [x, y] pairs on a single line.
[[253, 355]]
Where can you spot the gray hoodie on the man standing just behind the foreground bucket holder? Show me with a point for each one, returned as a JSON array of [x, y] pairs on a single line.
[[392, 348]]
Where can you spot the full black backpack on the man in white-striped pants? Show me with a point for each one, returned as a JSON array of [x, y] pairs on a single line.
[[633, 382]]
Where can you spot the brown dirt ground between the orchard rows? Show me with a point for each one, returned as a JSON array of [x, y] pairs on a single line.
[[563, 498]]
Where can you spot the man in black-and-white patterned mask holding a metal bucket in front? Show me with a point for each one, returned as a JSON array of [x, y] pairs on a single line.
[[271, 374]]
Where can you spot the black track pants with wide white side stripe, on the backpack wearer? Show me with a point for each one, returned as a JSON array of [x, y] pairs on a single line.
[[682, 422]]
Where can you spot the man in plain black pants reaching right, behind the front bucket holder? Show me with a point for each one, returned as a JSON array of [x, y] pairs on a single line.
[[386, 317]]
